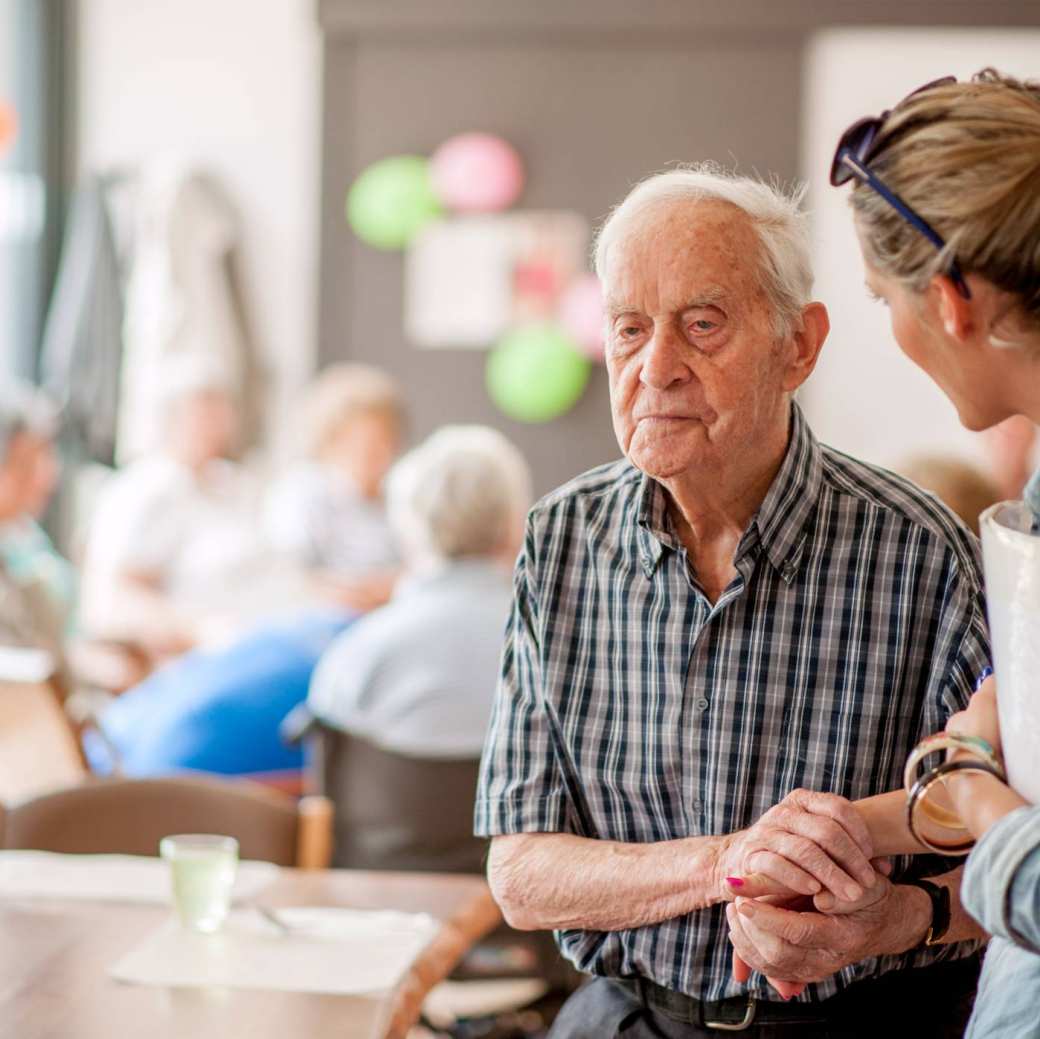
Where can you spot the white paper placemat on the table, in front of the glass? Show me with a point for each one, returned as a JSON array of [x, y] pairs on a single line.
[[329, 950]]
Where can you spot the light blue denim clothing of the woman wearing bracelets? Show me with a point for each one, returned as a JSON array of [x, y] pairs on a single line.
[[1002, 891]]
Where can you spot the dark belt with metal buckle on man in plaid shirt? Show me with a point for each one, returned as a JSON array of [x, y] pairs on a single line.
[[740, 1014]]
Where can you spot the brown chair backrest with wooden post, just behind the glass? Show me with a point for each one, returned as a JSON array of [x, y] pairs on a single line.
[[132, 816]]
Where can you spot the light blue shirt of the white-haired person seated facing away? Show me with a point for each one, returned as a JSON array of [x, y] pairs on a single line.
[[419, 677]]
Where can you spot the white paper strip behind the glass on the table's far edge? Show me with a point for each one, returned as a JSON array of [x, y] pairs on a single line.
[[108, 878]]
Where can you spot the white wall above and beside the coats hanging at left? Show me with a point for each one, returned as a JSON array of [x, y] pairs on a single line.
[[235, 86]]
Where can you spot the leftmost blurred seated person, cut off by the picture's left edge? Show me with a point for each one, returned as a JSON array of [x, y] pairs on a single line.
[[38, 585]]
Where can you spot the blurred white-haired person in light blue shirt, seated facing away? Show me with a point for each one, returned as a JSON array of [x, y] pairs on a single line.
[[419, 677]]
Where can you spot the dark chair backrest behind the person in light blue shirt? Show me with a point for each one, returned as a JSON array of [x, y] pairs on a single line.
[[396, 812]]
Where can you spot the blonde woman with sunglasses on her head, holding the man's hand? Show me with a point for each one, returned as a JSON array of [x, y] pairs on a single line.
[[947, 207]]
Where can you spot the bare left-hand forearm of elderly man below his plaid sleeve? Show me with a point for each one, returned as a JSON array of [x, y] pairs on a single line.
[[551, 881]]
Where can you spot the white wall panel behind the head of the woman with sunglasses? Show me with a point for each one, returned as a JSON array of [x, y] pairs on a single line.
[[867, 398]]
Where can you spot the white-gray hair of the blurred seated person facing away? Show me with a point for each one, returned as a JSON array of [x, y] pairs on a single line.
[[462, 493]]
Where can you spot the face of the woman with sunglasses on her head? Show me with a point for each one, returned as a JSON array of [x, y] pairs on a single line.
[[973, 385]]
